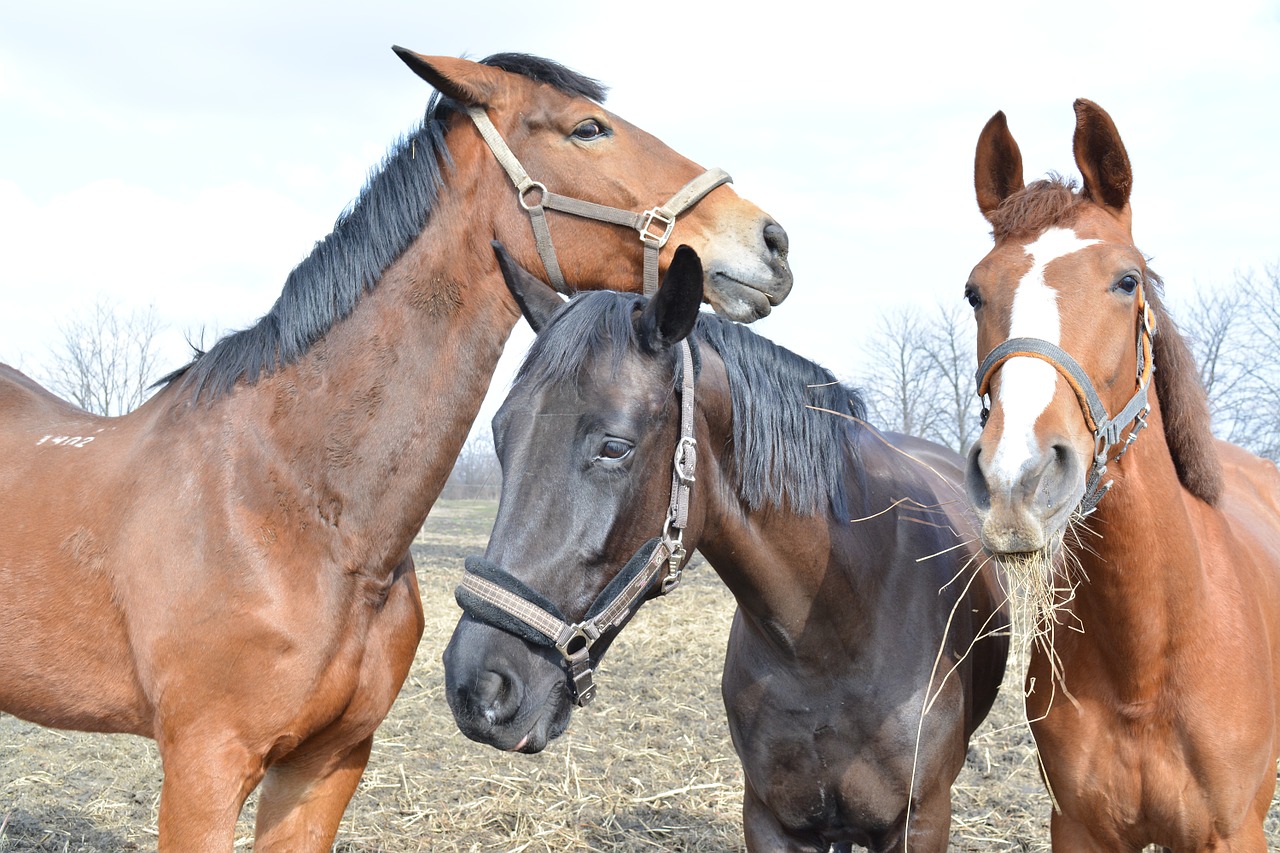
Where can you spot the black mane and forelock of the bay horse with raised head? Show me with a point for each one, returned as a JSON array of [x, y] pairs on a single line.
[[392, 211]]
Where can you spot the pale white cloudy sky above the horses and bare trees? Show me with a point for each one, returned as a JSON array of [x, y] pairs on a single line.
[[188, 156]]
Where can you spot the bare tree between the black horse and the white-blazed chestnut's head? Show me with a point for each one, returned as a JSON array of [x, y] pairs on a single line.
[[918, 375]]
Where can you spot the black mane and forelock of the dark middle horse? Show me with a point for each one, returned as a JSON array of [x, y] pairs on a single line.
[[783, 449]]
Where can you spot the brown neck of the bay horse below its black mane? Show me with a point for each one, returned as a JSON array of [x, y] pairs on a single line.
[[364, 428]]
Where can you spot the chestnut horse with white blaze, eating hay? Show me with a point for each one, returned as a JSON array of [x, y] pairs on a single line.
[[1153, 690]]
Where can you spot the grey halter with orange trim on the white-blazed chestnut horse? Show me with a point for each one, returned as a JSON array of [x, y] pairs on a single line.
[[1107, 431]]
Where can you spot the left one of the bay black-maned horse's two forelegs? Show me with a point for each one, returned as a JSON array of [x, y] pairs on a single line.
[[203, 795]]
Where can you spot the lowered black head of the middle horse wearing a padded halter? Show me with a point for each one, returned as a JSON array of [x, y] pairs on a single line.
[[592, 418]]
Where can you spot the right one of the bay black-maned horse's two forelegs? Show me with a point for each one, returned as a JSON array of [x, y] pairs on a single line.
[[304, 799]]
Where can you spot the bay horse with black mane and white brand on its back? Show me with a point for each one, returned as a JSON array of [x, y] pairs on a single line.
[[225, 569]]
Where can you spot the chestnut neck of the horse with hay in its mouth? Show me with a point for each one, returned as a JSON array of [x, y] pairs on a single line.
[[1145, 577]]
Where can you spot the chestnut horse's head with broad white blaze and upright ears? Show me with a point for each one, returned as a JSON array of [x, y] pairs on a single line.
[[1068, 318]]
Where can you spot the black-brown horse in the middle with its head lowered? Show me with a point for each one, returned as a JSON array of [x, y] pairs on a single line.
[[863, 655]]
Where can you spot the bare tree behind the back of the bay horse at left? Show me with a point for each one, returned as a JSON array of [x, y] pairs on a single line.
[[108, 361]]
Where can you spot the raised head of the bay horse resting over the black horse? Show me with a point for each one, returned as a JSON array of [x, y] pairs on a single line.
[[566, 147]]
